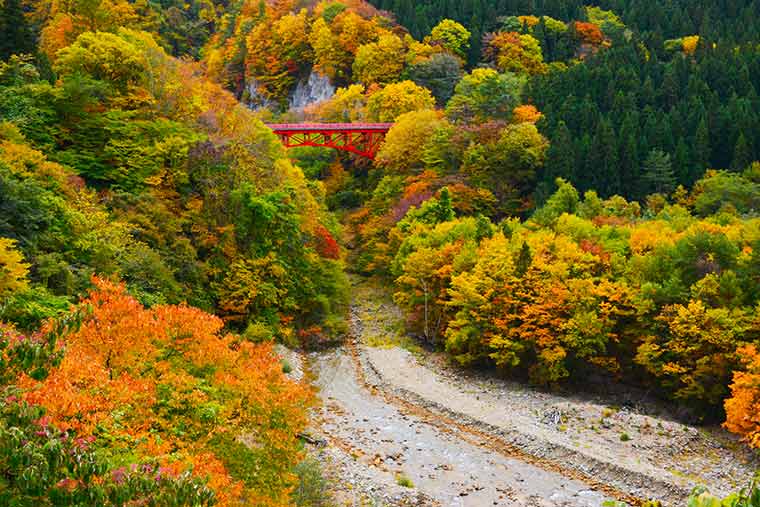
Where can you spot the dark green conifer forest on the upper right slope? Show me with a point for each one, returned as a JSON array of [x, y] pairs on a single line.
[[681, 79]]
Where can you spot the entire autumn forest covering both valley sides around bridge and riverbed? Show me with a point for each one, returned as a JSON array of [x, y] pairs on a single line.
[[568, 193]]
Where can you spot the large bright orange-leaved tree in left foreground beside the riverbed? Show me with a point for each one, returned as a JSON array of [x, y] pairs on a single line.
[[165, 384]]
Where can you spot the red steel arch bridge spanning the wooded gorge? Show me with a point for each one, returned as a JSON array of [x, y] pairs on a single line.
[[360, 138]]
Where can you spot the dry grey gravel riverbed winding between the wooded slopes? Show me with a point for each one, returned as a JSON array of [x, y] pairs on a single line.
[[408, 429]]
